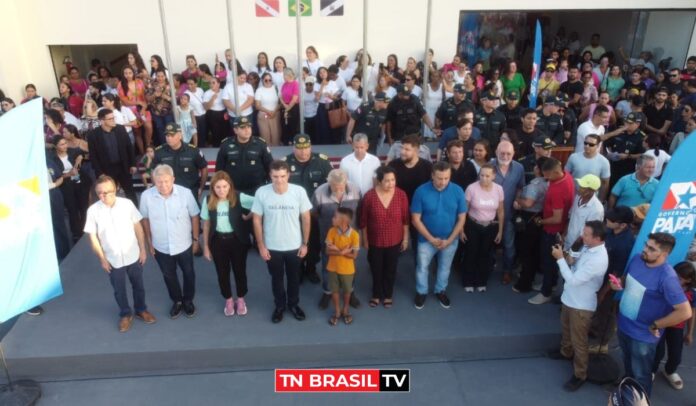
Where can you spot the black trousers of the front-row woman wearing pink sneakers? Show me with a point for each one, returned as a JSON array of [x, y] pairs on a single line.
[[228, 252]]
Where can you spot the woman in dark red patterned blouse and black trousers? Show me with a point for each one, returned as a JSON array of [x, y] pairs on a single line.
[[384, 220]]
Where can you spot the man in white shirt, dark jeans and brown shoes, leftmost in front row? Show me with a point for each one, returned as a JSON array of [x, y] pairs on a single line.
[[118, 240]]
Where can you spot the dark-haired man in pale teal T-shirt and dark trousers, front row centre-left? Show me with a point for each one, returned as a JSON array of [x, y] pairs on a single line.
[[281, 226]]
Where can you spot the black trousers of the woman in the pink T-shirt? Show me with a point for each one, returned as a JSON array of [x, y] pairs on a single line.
[[479, 251]]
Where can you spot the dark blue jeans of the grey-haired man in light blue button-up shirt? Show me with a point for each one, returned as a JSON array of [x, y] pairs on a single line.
[[167, 264]]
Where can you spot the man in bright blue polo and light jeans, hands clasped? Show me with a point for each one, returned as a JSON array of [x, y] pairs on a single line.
[[438, 212]]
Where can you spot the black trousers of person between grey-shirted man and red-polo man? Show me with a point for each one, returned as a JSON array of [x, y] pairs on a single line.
[[529, 249]]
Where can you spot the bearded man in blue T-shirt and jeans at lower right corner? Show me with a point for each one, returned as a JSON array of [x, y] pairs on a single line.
[[652, 299]]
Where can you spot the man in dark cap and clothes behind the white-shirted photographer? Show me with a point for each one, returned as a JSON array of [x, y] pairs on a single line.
[[619, 243]]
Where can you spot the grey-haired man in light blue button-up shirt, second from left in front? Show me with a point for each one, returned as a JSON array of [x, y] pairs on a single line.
[[171, 224]]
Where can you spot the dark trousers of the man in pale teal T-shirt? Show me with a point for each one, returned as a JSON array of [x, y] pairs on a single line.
[[282, 265]]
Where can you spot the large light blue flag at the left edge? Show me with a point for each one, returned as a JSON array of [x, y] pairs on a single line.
[[29, 271]]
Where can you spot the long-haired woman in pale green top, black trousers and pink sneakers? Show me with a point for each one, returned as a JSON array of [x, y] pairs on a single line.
[[226, 238]]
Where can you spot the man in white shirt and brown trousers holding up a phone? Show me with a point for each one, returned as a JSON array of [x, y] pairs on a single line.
[[579, 300]]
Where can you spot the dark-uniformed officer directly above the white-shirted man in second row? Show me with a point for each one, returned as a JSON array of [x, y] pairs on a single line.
[[369, 120]]
